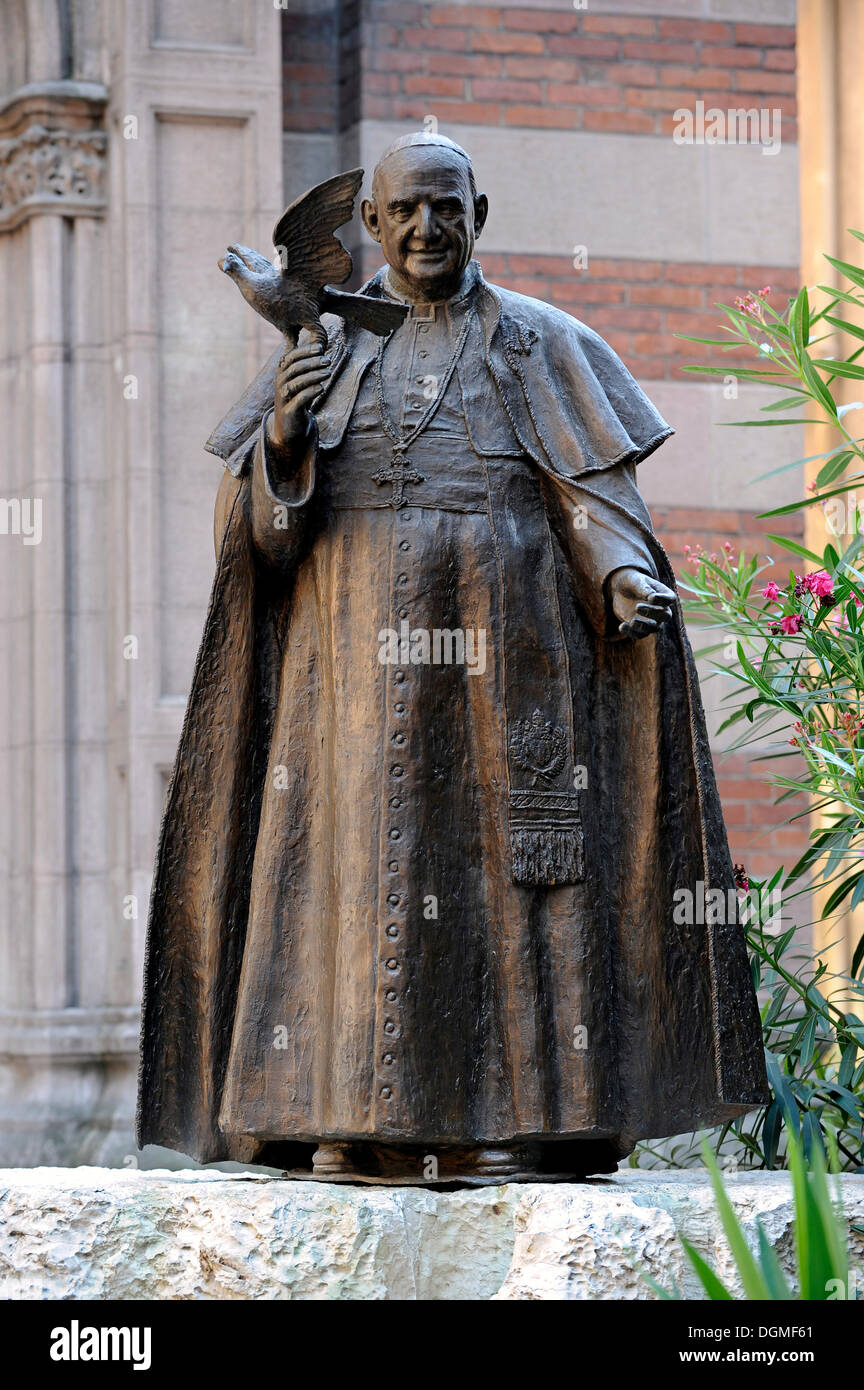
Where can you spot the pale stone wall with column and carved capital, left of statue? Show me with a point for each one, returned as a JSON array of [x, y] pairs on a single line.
[[135, 144]]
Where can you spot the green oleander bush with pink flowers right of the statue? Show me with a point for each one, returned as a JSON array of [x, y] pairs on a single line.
[[792, 650]]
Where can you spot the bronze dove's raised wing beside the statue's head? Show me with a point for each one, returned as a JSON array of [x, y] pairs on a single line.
[[305, 234]]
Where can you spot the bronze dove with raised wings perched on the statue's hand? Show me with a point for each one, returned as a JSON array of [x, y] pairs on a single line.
[[297, 295]]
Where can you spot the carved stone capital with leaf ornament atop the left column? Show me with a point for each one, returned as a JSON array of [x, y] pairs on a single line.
[[53, 158]]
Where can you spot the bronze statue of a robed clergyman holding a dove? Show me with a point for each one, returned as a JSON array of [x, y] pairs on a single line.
[[445, 765]]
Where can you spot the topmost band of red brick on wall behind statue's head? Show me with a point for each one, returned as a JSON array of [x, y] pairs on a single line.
[[573, 72]]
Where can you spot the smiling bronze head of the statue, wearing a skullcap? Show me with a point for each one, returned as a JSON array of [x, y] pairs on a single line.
[[426, 213]]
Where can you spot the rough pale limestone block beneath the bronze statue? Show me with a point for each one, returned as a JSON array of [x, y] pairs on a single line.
[[116, 1234]]
